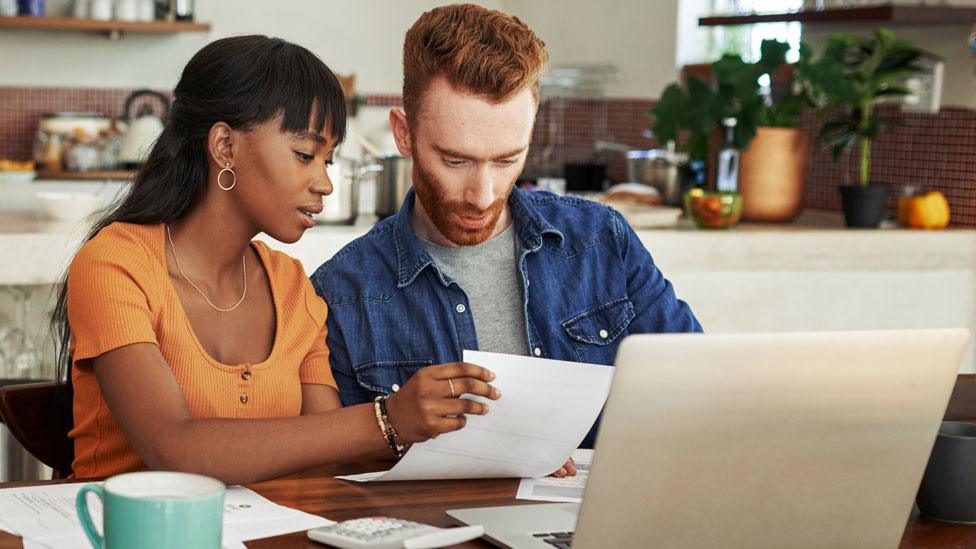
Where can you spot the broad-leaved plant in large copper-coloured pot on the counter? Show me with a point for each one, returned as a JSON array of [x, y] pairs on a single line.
[[775, 149]]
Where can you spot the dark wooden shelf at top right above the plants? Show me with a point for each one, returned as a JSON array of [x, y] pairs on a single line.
[[886, 14]]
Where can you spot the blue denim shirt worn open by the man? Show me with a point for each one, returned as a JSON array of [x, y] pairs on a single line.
[[587, 282]]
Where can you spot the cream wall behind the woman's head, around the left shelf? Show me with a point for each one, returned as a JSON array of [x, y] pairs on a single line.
[[349, 35]]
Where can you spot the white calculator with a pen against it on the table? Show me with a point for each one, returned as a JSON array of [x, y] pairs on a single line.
[[391, 533]]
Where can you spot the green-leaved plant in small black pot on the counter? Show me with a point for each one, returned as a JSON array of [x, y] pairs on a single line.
[[875, 67]]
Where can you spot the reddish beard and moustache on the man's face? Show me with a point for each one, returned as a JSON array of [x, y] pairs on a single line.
[[431, 193]]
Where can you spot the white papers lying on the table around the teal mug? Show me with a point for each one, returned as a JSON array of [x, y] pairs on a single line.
[[45, 516]]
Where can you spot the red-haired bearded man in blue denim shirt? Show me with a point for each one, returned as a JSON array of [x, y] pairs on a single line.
[[469, 261]]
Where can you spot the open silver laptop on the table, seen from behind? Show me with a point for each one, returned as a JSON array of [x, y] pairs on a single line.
[[753, 441]]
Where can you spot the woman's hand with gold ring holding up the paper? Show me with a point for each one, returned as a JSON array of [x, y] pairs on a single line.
[[428, 404]]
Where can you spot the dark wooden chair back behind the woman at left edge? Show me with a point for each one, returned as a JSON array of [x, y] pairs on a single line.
[[39, 416]]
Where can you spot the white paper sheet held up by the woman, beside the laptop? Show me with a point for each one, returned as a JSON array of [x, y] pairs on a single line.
[[546, 408]]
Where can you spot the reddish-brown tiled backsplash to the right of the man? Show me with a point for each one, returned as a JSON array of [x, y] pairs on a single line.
[[934, 151]]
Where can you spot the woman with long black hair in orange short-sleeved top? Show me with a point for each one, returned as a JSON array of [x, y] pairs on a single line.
[[194, 348]]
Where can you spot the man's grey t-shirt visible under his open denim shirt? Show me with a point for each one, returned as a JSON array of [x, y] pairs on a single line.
[[488, 275]]
